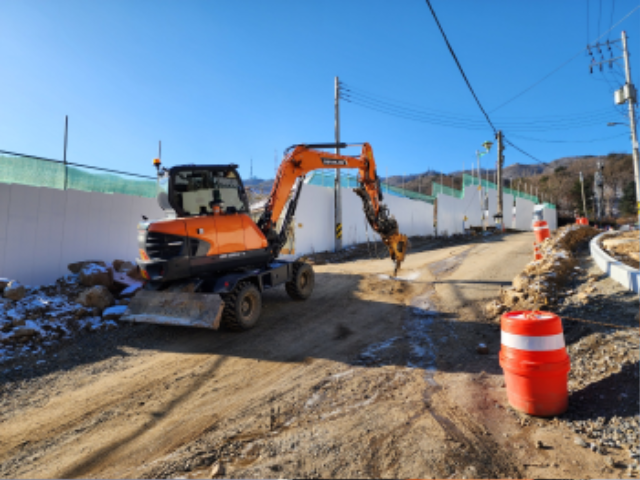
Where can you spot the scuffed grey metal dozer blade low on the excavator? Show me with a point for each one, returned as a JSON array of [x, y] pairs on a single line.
[[175, 308]]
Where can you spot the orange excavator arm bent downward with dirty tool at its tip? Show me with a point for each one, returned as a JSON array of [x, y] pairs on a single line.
[[300, 160]]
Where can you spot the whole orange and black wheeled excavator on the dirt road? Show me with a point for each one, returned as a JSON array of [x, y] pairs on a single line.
[[207, 263]]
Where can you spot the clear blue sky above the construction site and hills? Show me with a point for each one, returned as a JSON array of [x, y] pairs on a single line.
[[229, 81]]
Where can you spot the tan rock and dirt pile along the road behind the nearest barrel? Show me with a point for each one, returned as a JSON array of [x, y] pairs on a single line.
[[541, 282]]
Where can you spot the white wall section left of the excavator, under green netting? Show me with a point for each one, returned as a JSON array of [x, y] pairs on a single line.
[[44, 229]]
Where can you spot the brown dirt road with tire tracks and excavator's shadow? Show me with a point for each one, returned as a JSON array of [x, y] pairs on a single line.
[[371, 377]]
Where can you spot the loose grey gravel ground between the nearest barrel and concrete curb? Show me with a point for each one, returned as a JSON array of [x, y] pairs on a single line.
[[604, 408]]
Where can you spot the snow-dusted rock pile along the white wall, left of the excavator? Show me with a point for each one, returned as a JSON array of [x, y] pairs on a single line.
[[34, 319]]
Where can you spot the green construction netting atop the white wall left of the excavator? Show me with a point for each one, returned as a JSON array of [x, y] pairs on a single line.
[[42, 173]]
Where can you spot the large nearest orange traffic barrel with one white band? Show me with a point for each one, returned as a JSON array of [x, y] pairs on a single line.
[[535, 362]]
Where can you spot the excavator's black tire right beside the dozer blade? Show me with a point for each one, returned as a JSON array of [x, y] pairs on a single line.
[[242, 307]]
